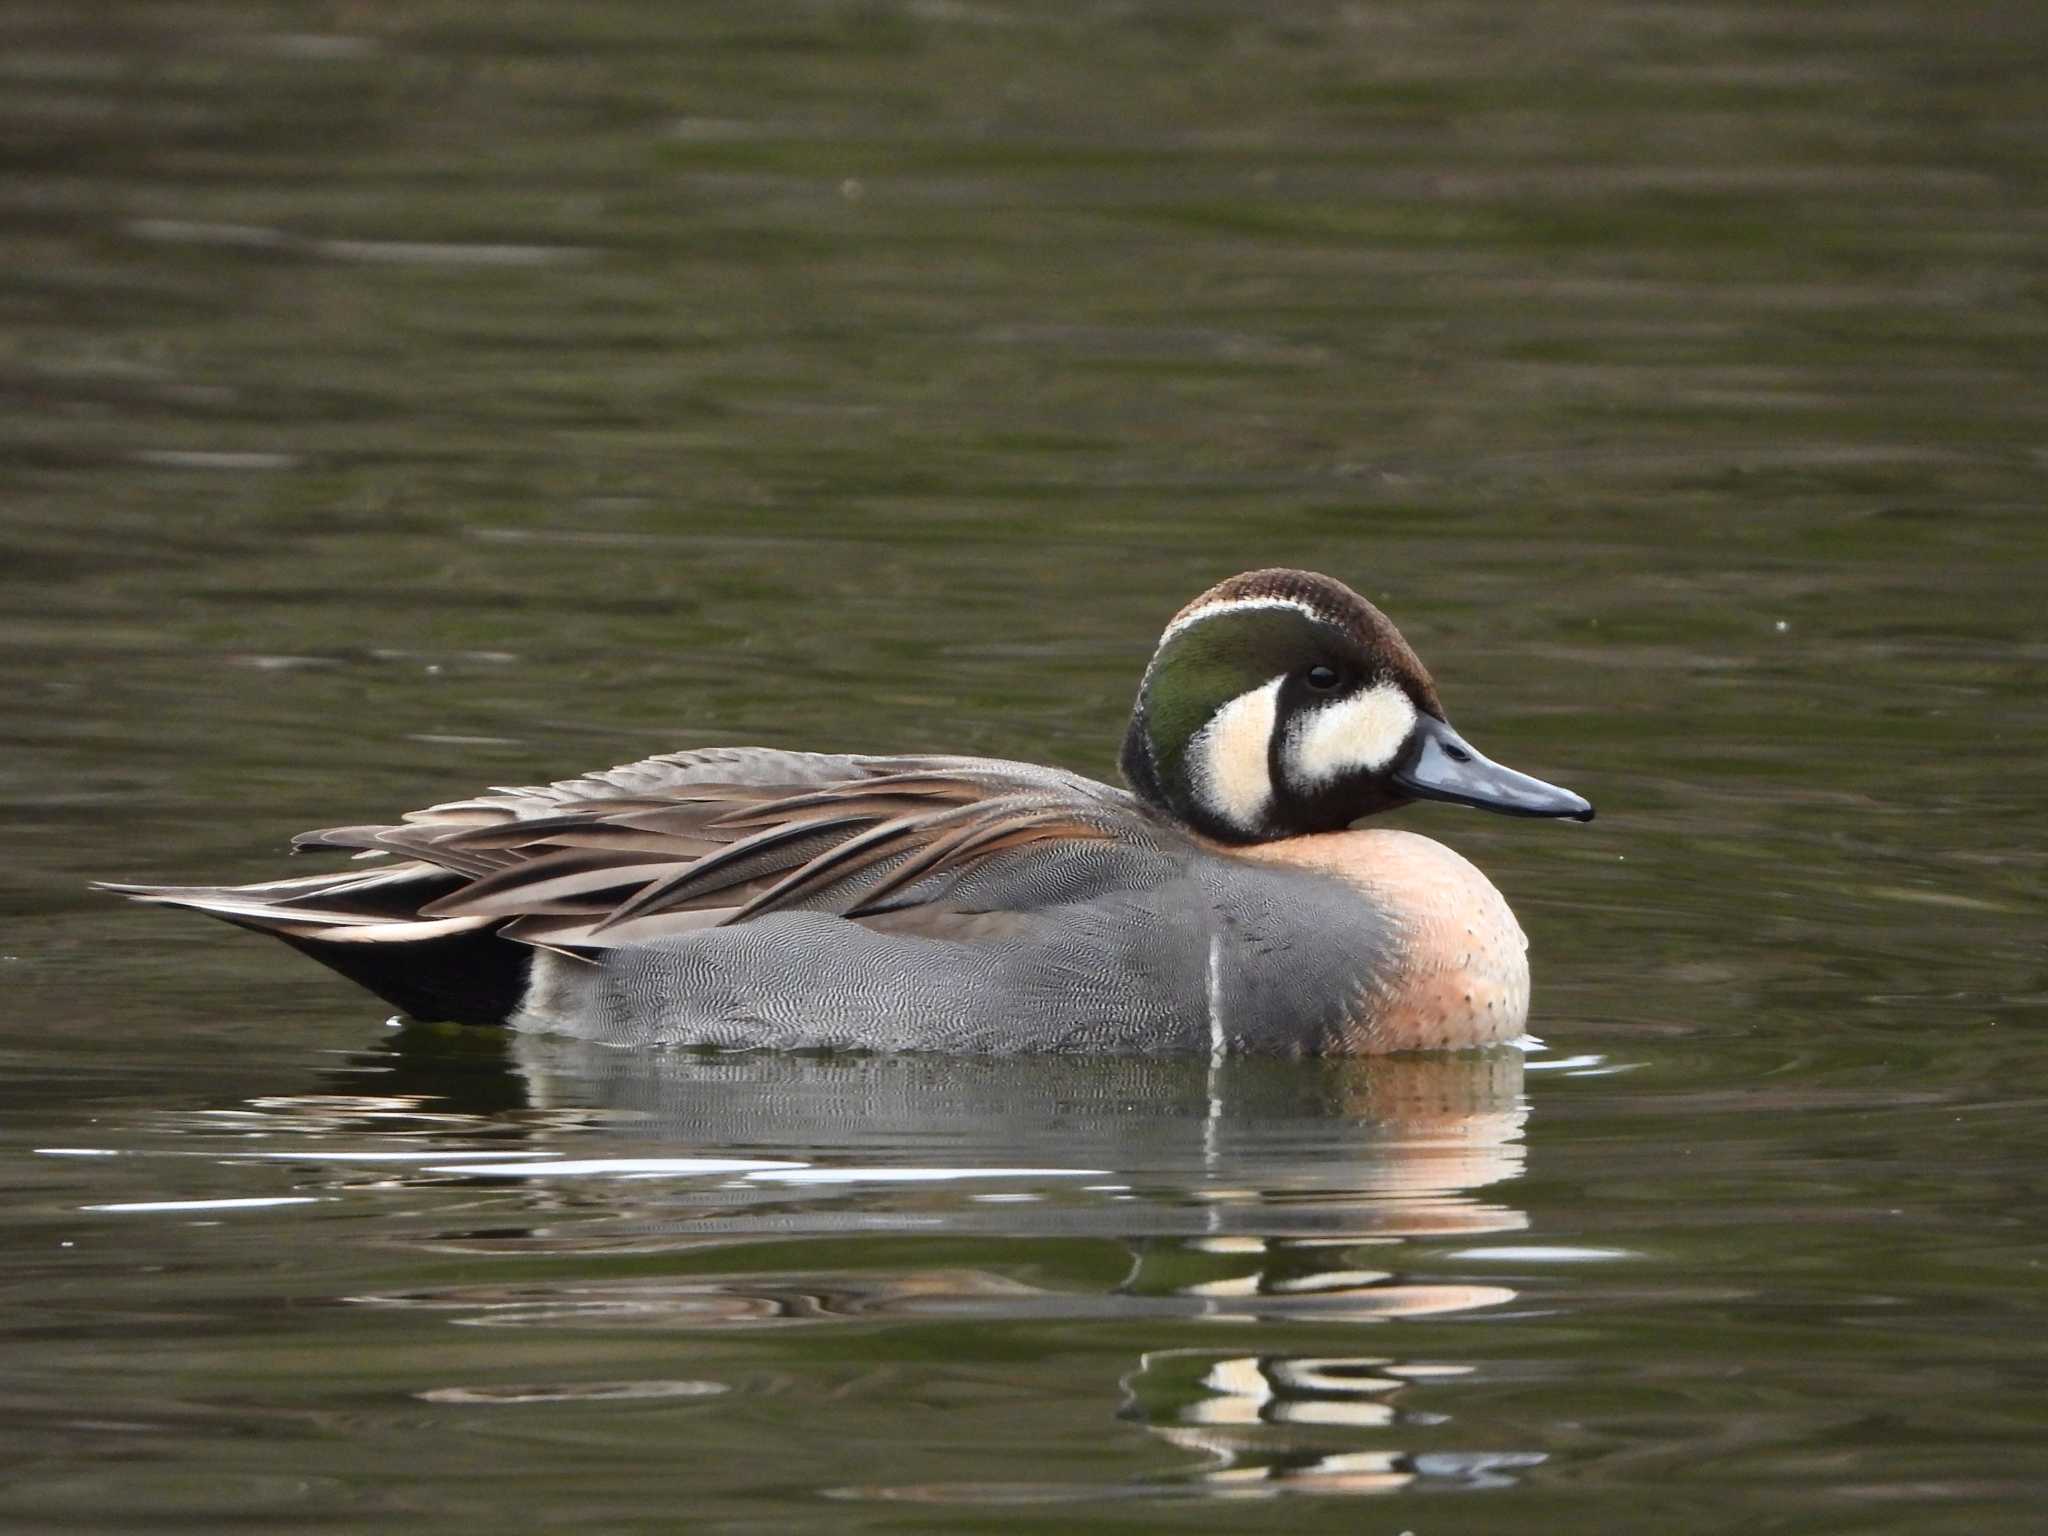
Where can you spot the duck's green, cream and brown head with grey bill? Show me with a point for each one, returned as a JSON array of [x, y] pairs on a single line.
[[1283, 703]]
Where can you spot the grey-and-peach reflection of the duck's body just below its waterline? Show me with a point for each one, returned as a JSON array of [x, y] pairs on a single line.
[[1412, 1134]]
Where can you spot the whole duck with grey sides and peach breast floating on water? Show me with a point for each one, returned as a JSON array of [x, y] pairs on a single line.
[[1222, 902]]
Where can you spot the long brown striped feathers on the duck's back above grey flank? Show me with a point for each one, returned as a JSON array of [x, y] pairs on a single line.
[[568, 867]]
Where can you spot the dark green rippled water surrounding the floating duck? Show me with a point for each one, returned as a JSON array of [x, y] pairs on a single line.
[[407, 398]]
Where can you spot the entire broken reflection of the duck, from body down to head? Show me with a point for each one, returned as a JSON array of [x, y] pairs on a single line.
[[1238, 1193]]
